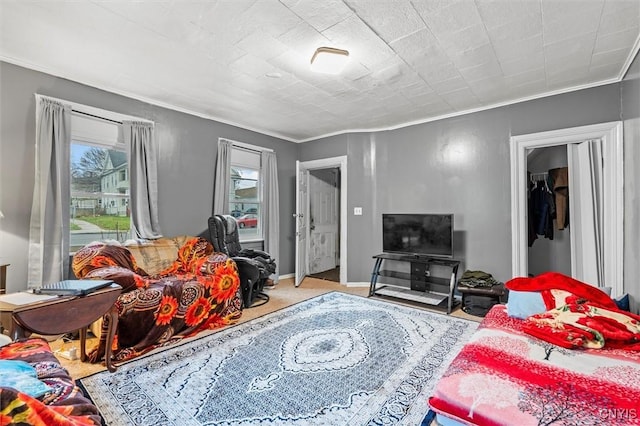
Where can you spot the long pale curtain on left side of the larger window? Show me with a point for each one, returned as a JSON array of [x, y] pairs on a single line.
[[49, 227]]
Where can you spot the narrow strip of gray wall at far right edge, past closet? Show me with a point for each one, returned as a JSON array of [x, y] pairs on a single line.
[[630, 100]]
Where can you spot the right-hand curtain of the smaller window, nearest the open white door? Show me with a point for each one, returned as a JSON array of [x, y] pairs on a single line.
[[271, 208]]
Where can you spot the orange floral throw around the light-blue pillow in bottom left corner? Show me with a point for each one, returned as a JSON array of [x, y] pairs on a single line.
[[63, 405]]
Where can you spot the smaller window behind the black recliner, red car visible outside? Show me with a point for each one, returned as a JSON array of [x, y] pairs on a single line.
[[245, 193]]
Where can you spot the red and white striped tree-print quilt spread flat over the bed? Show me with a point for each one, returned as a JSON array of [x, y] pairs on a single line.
[[505, 376]]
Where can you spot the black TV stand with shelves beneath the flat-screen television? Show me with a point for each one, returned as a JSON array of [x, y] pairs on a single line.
[[424, 286]]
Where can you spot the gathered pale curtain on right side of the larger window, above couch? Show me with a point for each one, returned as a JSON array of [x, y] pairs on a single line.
[[143, 173]]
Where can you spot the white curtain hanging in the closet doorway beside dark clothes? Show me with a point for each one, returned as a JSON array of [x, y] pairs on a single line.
[[586, 193]]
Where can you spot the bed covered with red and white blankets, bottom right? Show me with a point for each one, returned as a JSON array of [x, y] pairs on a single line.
[[541, 368]]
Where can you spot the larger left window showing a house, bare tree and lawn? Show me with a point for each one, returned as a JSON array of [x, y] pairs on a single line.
[[99, 183]]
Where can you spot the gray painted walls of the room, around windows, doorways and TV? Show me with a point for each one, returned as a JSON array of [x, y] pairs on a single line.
[[459, 165]]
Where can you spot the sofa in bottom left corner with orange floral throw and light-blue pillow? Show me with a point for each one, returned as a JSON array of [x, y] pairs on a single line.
[[35, 389]]
